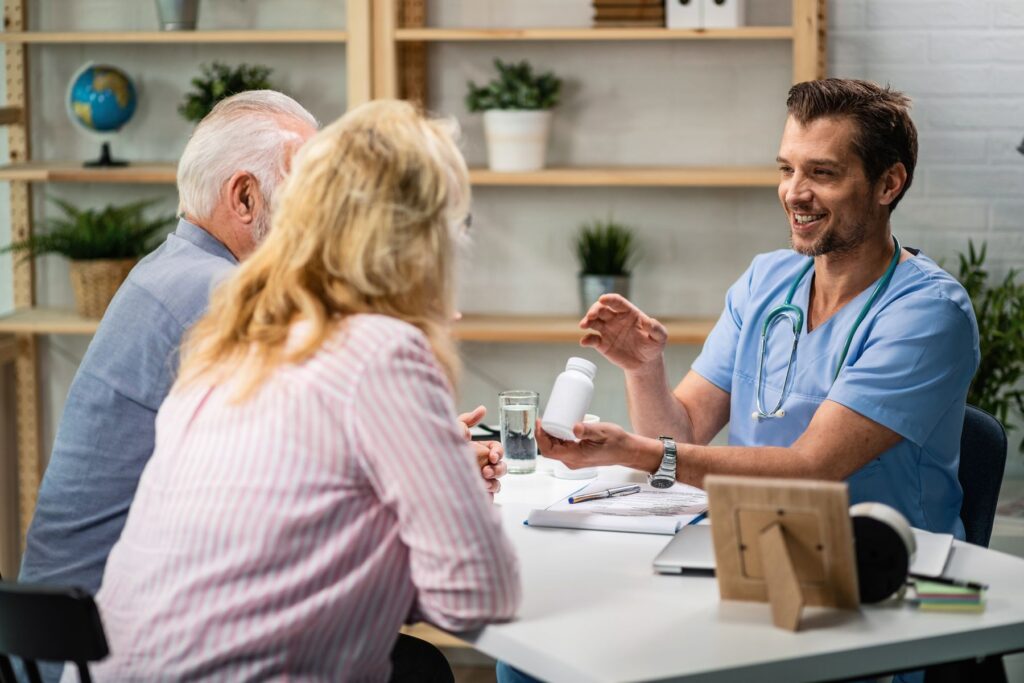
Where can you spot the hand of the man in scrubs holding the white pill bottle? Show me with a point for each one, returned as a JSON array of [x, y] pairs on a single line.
[[602, 444]]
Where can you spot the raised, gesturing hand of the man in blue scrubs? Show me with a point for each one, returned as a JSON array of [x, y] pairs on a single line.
[[623, 333]]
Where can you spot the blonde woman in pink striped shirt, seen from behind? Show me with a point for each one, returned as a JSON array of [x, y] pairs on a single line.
[[311, 490]]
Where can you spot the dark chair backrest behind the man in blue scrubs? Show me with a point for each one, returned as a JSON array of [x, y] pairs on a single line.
[[984, 457]]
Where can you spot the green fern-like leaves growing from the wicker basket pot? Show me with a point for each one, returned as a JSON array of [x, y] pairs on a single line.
[[112, 233]]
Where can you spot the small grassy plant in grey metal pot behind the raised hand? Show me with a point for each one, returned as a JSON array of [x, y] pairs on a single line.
[[606, 251]]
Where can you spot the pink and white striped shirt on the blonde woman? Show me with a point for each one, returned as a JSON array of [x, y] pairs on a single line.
[[292, 535]]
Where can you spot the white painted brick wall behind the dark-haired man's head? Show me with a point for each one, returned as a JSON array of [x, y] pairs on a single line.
[[968, 87]]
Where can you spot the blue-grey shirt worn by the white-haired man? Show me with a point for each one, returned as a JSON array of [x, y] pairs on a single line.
[[107, 432]]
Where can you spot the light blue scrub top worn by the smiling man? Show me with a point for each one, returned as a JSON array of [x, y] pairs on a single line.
[[909, 368]]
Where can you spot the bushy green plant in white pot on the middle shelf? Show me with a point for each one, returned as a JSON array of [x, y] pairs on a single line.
[[517, 110]]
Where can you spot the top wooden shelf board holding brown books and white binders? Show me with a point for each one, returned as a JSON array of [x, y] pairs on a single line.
[[590, 34]]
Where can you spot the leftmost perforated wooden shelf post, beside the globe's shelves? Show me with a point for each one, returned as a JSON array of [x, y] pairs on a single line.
[[26, 366]]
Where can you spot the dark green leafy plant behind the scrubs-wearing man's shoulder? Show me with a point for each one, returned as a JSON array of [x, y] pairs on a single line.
[[1000, 310]]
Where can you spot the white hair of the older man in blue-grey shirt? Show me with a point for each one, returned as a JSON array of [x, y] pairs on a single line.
[[245, 133]]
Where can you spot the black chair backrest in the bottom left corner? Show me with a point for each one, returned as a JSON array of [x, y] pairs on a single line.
[[53, 624]]
